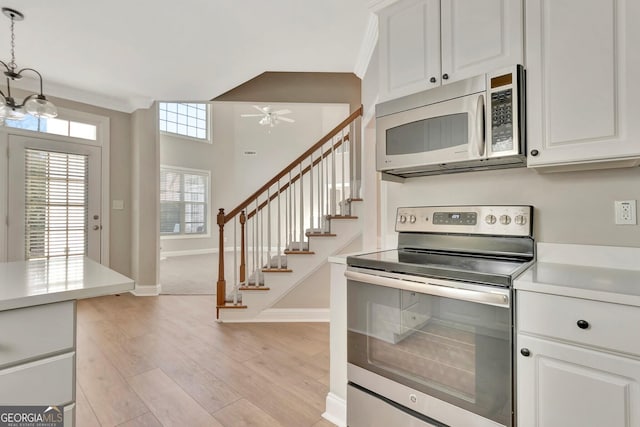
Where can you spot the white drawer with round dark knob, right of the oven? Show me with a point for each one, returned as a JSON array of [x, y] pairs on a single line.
[[594, 323]]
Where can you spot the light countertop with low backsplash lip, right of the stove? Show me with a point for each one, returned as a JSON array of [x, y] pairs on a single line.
[[606, 274]]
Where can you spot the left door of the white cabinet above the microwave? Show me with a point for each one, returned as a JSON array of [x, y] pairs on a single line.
[[409, 47]]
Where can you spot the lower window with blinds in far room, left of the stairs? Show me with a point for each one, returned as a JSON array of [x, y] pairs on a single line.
[[184, 204]]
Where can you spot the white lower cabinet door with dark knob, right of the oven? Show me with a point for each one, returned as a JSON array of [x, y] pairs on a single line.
[[568, 386]]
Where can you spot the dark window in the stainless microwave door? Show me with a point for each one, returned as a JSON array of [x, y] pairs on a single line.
[[428, 135]]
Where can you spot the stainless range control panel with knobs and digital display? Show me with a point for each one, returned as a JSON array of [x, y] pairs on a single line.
[[490, 220]]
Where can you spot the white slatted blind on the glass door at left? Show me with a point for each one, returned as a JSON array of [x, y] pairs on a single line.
[[56, 204]]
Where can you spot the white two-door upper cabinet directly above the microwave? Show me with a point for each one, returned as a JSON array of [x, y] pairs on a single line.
[[426, 43]]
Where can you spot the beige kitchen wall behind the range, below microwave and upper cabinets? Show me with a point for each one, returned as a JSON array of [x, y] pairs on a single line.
[[570, 207]]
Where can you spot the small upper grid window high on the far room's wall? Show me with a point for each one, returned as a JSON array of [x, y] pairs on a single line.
[[184, 119]]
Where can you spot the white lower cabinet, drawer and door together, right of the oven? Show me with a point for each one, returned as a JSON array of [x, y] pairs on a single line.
[[563, 382]]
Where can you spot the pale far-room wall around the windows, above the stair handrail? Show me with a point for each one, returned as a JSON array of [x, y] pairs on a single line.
[[235, 176]]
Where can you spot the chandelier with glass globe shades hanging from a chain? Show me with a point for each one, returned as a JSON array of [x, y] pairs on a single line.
[[35, 104]]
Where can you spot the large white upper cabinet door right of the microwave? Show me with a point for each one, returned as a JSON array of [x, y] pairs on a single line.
[[582, 81]]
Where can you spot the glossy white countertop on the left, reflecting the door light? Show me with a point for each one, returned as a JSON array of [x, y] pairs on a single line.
[[35, 282]]
